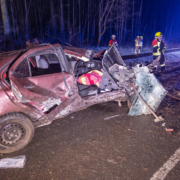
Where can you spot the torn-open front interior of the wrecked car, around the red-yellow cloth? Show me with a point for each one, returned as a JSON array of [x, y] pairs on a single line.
[[101, 63]]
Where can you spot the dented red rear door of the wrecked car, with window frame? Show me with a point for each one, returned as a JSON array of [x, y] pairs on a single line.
[[44, 91]]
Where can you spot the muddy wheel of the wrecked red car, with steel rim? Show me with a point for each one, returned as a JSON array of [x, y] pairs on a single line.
[[16, 131]]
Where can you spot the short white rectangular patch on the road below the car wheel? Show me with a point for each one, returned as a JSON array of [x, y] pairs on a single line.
[[16, 162]]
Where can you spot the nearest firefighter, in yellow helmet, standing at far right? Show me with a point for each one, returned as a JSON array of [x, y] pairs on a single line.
[[159, 47]]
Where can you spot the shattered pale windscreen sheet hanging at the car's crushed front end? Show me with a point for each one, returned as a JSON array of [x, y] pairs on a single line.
[[150, 90]]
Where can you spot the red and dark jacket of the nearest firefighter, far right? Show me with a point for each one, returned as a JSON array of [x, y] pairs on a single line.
[[158, 47]]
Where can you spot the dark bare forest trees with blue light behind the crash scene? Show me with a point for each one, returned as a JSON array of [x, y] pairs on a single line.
[[88, 21]]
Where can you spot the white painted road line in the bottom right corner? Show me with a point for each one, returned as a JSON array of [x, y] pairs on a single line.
[[167, 167]]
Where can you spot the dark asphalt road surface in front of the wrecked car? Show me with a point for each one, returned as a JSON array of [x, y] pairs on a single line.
[[85, 146]]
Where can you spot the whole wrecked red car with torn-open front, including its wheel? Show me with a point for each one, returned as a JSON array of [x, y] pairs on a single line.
[[42, 84]]
